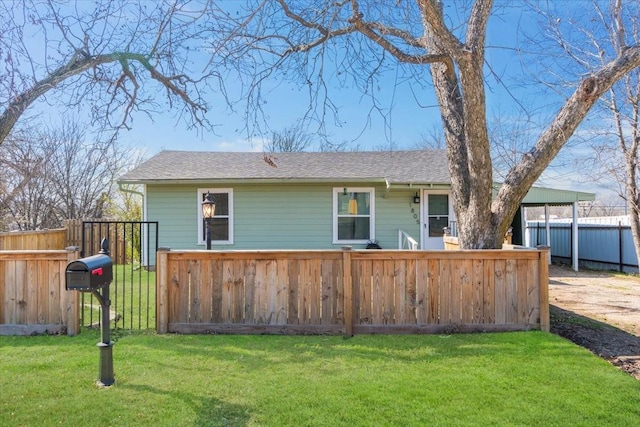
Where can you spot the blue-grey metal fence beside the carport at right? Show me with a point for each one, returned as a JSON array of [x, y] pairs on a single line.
[[600, 246]]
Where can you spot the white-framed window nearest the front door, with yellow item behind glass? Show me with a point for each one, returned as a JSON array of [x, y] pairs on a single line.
[[353, 215]]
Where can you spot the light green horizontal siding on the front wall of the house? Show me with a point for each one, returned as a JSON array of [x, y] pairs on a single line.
[[285, 216]]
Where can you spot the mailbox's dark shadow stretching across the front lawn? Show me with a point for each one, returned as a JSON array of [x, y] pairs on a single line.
[[209, 411]]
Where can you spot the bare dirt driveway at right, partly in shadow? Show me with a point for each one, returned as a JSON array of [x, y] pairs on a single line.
[[599, 311]]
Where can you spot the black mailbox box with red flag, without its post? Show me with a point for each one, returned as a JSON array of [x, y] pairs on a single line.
[[87, 274]]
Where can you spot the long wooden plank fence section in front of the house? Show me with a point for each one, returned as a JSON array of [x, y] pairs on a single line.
[[352, 292]]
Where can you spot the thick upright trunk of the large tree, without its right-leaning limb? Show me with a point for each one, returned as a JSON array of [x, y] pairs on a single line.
[[463, 112]]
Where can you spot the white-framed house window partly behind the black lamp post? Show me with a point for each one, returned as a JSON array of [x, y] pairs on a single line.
[[222, 223]]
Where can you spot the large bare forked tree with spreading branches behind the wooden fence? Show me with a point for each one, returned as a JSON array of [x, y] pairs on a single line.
[[358, 40]]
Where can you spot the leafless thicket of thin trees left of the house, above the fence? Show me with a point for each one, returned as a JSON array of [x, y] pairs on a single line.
[[56, 174]]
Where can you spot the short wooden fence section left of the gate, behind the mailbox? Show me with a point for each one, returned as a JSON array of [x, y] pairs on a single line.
[[33, 298]]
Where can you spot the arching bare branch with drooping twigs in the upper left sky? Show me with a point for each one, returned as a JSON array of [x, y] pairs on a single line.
[[114, 58]]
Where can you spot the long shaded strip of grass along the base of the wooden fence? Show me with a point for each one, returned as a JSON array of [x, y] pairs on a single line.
[[255, 352]]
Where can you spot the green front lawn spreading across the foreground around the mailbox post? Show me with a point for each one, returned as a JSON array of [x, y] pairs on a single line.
[[522, 378]]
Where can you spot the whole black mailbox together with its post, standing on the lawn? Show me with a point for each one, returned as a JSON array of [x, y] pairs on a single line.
[[92, 274]]
